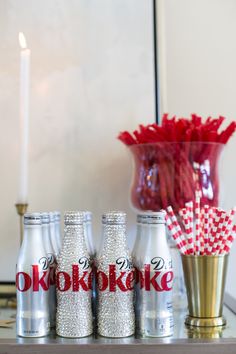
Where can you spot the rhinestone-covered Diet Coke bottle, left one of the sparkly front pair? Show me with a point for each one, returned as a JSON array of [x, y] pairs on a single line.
[[74, 281]]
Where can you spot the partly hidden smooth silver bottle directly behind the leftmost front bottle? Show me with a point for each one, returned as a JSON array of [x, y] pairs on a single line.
[[52, 267]]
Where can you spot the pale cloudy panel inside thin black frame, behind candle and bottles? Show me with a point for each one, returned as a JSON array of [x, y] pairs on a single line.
[[92, 76]]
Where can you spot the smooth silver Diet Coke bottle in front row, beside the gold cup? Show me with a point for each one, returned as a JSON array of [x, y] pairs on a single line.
[[154, 277]]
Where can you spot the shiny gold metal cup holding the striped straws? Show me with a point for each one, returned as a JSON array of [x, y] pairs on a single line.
[[205, 283]]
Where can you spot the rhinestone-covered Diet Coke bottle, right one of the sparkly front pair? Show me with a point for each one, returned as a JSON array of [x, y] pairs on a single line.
[[115, 280]]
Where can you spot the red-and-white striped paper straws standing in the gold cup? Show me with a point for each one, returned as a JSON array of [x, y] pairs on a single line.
[[206, 231]]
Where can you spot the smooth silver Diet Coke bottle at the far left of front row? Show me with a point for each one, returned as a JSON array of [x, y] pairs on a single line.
[[32, 281]]
